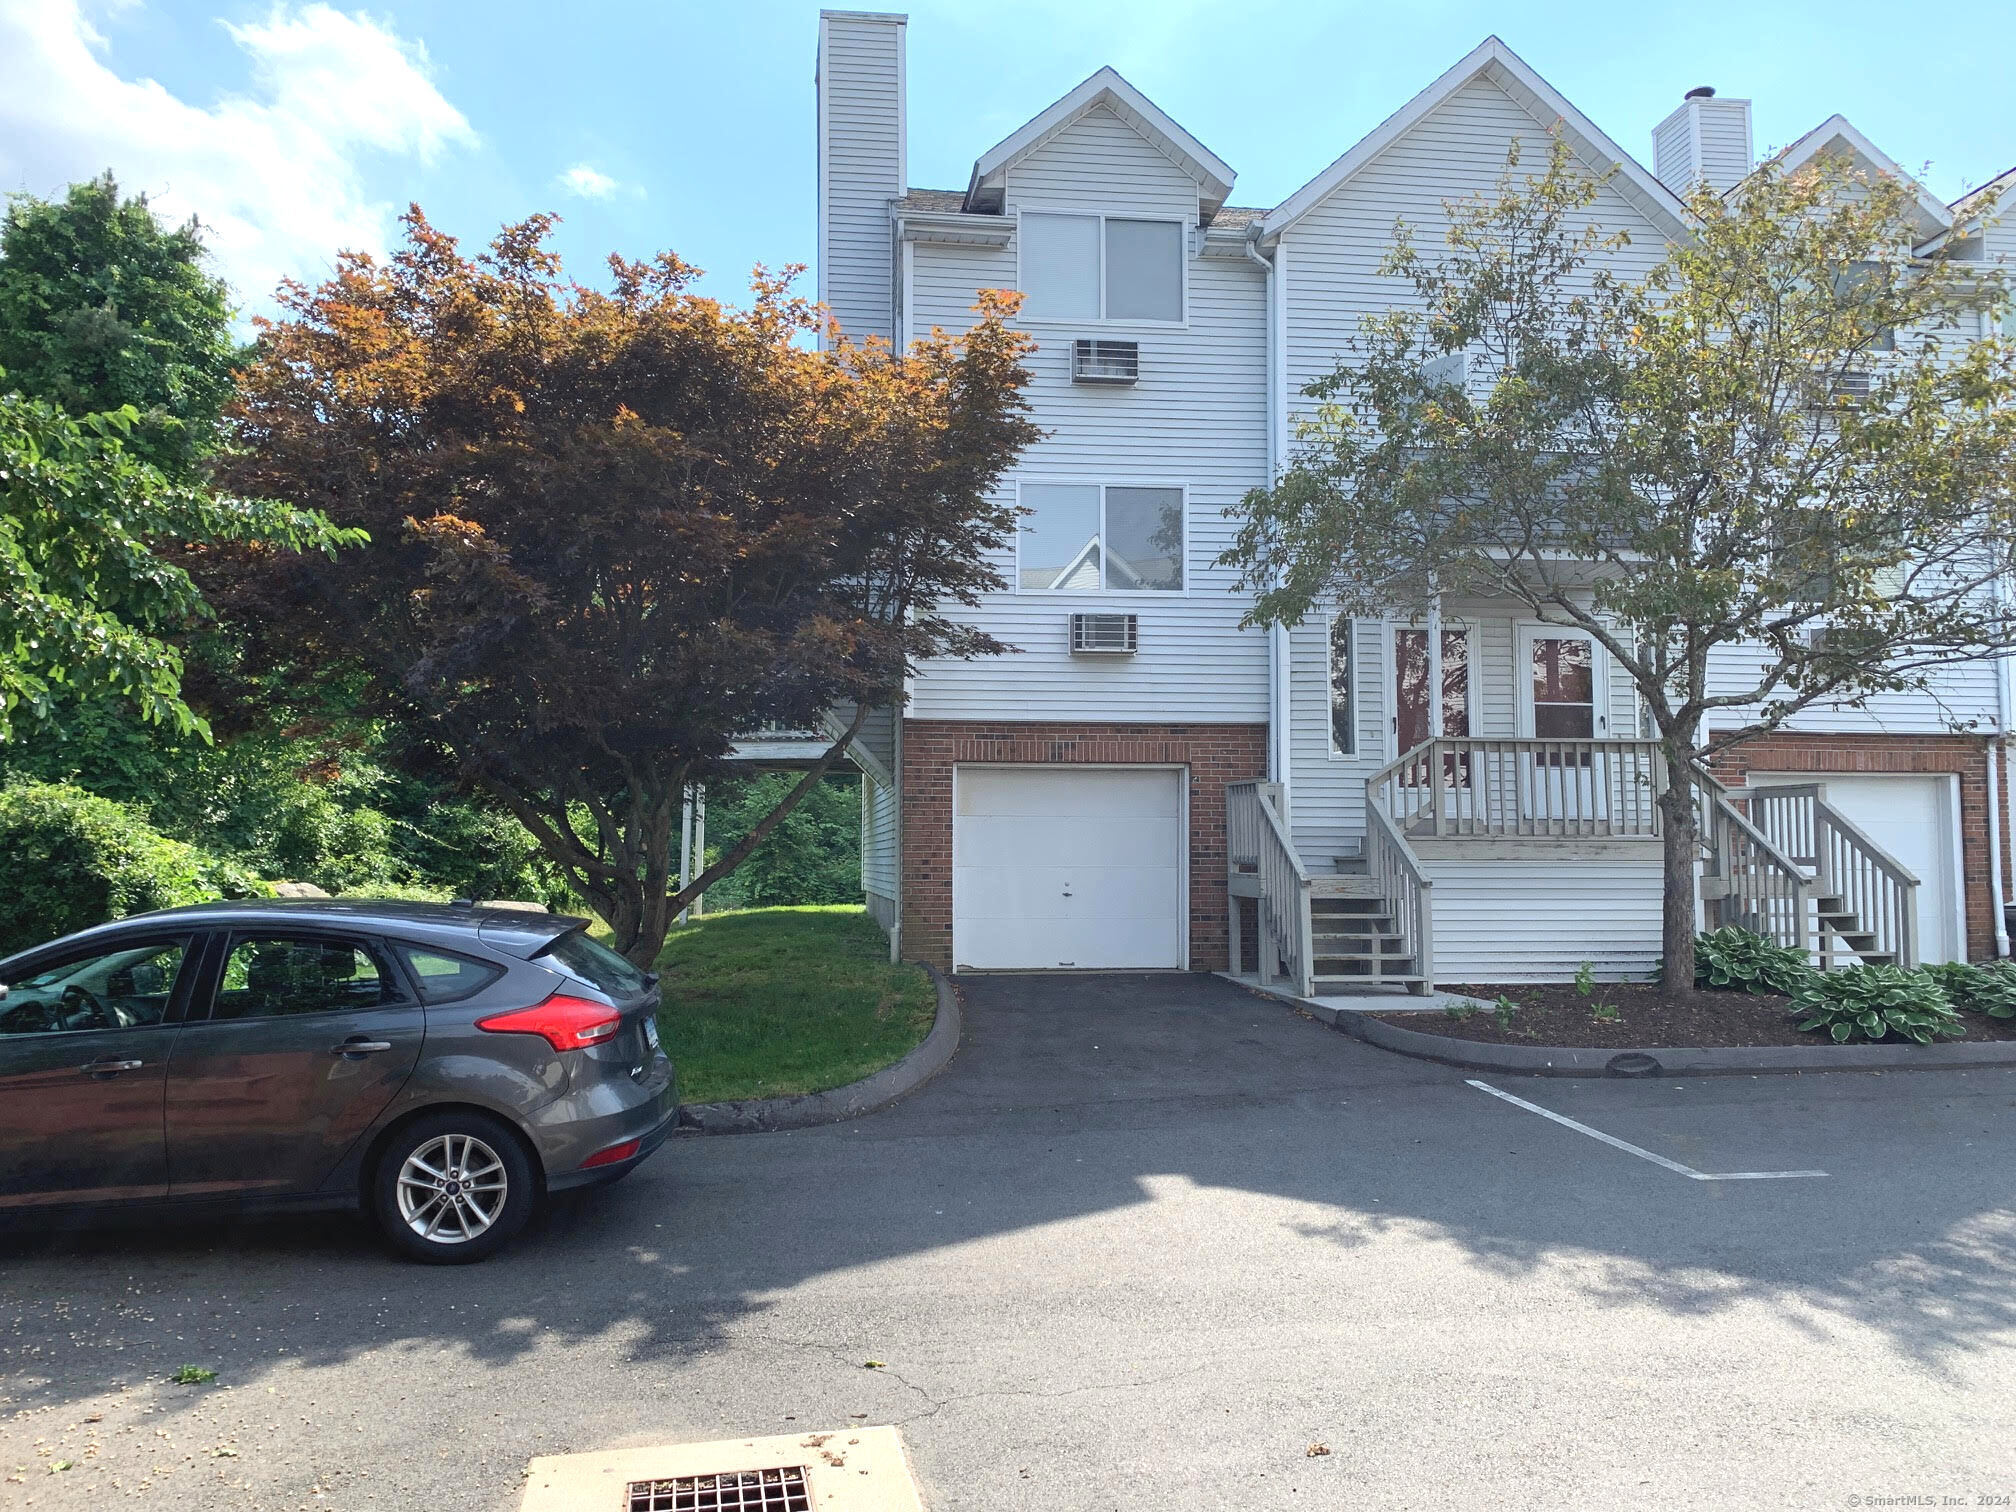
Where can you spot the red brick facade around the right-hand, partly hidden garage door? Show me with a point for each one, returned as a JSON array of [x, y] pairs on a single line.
[[1920, 755]]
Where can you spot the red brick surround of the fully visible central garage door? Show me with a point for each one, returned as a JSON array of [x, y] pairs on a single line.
[[1215, 755]]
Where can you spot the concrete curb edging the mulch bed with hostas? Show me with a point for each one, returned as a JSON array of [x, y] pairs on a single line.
[[1650, 1061]]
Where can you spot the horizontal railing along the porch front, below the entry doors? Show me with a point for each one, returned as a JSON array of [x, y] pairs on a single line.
[[1549, 789]]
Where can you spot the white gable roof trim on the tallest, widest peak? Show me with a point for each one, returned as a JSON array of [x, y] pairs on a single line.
[[1507, 70]]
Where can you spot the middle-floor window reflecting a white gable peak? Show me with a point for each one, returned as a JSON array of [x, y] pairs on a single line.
[[1100, 539]]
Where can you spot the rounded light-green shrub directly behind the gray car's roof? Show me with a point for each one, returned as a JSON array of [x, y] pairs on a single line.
[[72, 860]]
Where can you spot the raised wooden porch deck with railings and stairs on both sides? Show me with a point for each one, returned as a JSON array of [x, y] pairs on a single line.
[[1777, 862]]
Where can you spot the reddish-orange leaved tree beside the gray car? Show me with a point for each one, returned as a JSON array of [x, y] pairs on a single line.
[[612, 531]]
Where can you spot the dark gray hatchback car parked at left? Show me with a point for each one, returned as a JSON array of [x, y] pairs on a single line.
[[440, 1065]]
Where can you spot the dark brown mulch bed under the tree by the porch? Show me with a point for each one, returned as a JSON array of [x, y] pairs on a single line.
[[1565, 1017]]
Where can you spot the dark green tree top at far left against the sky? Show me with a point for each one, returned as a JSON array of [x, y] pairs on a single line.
[[104, 307]]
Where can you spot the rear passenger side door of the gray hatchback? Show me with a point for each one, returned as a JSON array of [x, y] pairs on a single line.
[[305, 1041]]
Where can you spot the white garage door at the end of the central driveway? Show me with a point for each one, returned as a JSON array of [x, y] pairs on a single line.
[[1076, 868]]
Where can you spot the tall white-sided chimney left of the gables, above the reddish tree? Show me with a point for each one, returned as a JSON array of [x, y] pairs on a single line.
[[862, 166]]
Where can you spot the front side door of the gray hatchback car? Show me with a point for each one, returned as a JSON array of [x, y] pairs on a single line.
[[84, 1055]]
